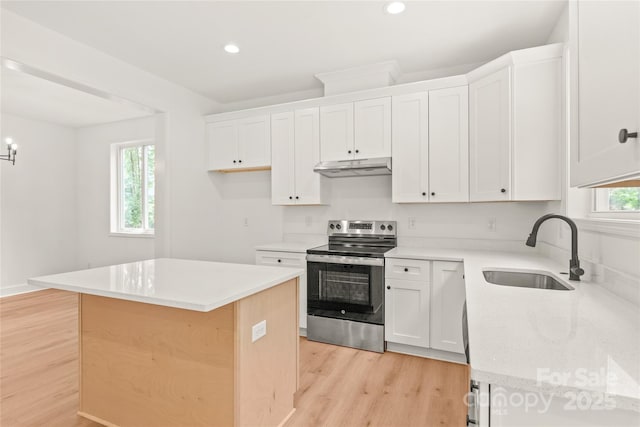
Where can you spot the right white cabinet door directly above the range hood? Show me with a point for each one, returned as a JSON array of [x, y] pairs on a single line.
[[372, 120]]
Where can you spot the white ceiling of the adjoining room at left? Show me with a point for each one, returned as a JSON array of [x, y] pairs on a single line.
[[40, 99]]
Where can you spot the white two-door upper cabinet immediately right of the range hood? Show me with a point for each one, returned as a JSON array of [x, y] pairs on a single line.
[[430, 146]]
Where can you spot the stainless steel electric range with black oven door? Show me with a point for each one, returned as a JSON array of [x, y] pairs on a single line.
[[345, 284]]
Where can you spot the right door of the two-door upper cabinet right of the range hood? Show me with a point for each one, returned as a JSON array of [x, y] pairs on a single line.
[[449, 145]]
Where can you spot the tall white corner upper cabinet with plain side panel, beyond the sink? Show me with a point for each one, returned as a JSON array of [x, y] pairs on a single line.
[[515, 133]]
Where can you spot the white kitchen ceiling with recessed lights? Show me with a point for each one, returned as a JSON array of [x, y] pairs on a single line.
[[283, 44]]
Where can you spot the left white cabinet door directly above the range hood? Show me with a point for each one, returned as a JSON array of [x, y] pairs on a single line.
[[336, 132]]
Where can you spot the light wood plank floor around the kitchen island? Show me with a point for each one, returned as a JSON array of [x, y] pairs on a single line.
[[339, 386]]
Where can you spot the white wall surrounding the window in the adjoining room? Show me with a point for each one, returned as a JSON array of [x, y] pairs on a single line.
[[95, 246]]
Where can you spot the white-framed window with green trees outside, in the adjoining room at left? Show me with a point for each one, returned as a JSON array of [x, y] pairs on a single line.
[[132, 188]]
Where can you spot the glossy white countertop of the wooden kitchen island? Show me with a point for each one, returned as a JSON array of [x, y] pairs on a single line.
[[186, 284]]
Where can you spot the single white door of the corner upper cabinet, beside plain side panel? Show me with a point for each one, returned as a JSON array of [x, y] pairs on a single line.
[[490, 137]]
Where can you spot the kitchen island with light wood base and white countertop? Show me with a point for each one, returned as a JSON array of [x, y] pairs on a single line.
[[178, 342]]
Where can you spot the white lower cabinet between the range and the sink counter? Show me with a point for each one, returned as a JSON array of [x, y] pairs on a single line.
[[423, 304]]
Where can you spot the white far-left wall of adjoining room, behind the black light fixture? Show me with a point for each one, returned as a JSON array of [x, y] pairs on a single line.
[[38, 228]]
